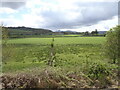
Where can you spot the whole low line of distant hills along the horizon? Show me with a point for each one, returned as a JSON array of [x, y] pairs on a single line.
[[21, 32]]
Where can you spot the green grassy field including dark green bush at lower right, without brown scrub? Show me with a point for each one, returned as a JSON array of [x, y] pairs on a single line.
[[72, 54]]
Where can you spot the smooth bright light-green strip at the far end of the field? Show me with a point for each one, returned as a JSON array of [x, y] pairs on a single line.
[[60, 40]]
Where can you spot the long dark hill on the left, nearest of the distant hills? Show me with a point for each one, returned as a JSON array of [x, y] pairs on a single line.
[[27, 31]]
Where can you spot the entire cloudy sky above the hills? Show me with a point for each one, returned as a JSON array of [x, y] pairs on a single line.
[[74, 15]]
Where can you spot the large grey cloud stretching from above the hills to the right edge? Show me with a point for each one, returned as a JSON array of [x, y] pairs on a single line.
[[89, 14]]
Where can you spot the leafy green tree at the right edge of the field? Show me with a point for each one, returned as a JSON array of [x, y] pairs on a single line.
[[113, 44]]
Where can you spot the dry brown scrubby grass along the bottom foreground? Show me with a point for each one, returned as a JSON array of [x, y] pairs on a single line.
[[48, 79]]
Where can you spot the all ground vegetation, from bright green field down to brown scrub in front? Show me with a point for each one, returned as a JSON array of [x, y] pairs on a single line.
[[79, 62]]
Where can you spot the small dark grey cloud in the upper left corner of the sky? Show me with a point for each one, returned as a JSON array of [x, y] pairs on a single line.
[[12, 5]]
